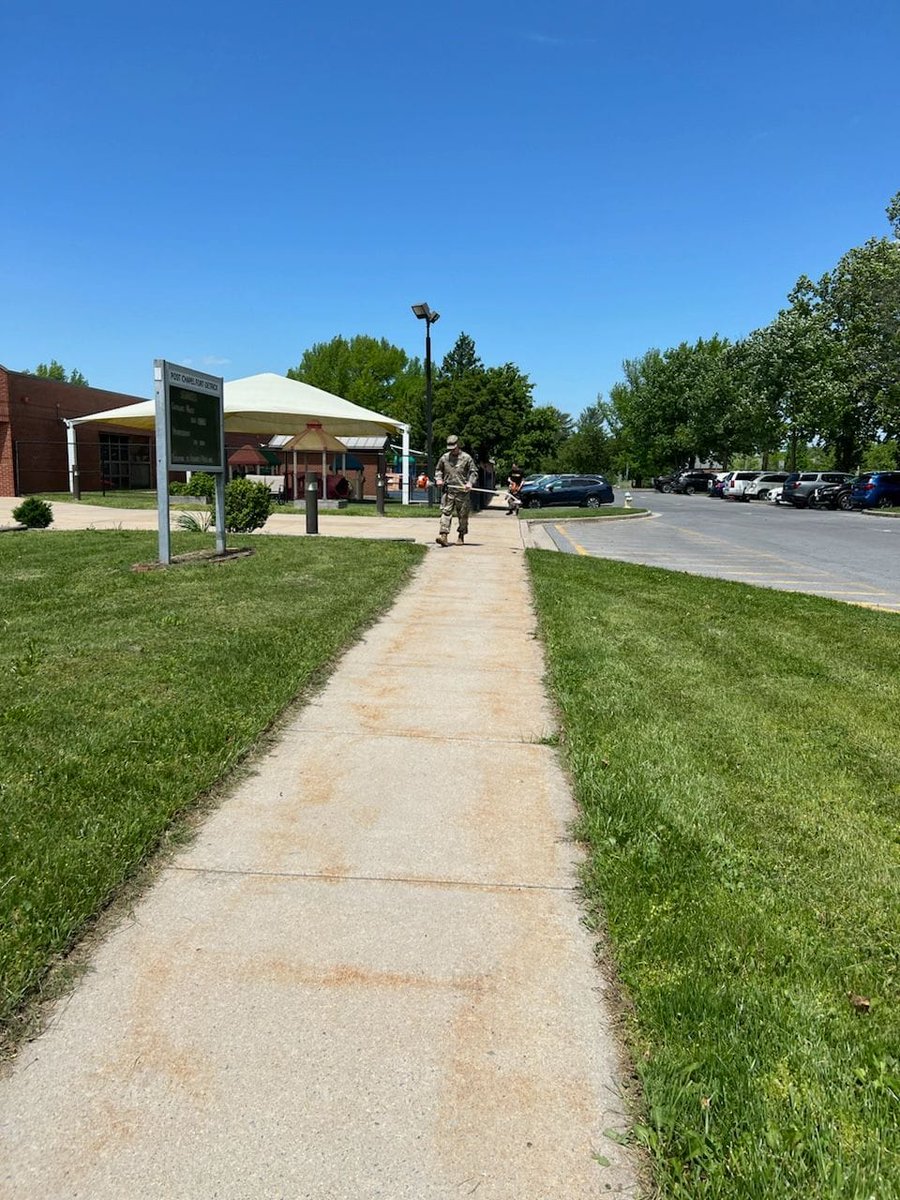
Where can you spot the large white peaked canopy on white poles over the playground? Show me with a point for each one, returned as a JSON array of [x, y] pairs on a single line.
[[263, 404]]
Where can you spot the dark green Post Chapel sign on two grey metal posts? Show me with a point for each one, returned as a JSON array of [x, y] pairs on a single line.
[[190, 436]]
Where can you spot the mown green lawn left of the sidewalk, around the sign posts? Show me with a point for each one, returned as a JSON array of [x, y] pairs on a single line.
[[125, 697]]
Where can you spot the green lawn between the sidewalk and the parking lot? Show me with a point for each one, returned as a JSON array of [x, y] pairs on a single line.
[[736, 757]]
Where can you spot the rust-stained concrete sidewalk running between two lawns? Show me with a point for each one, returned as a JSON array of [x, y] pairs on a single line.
[[368, 977]]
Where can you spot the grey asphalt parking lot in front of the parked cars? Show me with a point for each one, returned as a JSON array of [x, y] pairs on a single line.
[[847, 556]]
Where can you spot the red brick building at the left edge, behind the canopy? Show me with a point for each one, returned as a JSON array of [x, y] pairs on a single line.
[[33, 439]]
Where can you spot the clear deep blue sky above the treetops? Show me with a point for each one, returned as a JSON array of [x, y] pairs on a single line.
[[227, 184]]
